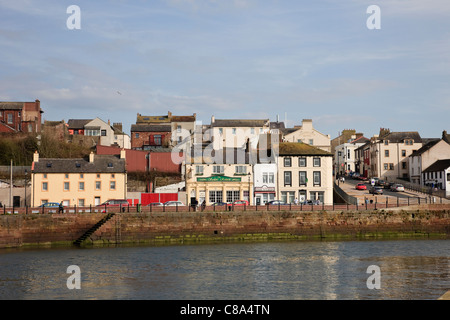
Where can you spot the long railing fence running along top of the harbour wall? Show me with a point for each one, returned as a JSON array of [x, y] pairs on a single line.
[[368, 205]]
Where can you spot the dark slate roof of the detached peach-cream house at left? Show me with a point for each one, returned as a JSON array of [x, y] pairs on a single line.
[[101, 164]]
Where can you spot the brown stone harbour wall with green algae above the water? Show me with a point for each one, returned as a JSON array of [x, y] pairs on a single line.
[[51, 229]]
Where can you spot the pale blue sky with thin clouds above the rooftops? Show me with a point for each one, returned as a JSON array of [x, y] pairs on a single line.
[[250, 59]]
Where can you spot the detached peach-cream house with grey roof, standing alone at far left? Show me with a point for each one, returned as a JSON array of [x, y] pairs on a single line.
[[78, 182]]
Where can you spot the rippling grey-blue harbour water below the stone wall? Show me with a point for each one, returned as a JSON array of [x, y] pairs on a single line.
[[289, 270]]
